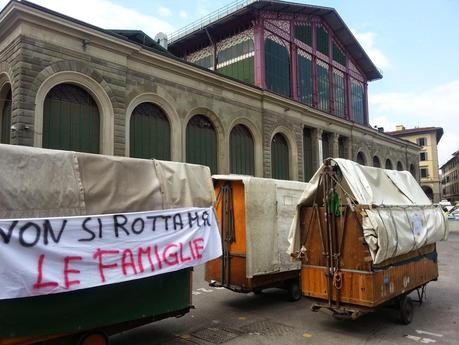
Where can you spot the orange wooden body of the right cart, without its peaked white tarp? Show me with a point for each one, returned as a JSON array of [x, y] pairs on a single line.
[[338, 269]]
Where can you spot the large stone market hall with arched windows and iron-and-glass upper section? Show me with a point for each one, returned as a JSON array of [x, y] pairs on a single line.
[[264, 88]]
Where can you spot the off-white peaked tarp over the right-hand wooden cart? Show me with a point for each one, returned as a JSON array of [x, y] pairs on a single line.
[[400, 217]]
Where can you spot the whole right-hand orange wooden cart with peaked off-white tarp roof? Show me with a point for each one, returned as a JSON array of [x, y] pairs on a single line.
[[365, 237]]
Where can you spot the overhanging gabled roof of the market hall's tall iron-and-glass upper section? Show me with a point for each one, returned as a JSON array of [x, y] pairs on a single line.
[[241, 10]]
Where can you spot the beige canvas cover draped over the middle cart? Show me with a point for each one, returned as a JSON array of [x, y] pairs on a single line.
[[269, 209]]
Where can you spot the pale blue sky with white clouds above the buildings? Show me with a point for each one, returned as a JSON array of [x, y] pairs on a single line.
[[414, 42]]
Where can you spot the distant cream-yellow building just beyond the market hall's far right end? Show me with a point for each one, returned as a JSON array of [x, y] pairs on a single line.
[[427, 138]]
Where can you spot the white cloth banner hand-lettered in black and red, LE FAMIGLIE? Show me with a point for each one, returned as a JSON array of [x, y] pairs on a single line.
[[52, 255]]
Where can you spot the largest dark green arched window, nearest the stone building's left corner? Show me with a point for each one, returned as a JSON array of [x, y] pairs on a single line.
[[71, 120]]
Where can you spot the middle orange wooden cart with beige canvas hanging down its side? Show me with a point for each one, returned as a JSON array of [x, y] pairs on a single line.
[[243, 266]]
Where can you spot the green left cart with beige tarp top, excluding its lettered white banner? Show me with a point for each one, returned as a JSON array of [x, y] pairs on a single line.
[[109, 185]]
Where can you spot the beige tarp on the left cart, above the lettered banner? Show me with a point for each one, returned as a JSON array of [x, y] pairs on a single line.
[[37, 182]]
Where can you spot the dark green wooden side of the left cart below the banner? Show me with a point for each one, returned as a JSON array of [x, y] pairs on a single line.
[[86, 309]]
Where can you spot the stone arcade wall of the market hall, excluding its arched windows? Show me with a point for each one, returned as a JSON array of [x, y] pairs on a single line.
[[120, 75]]
